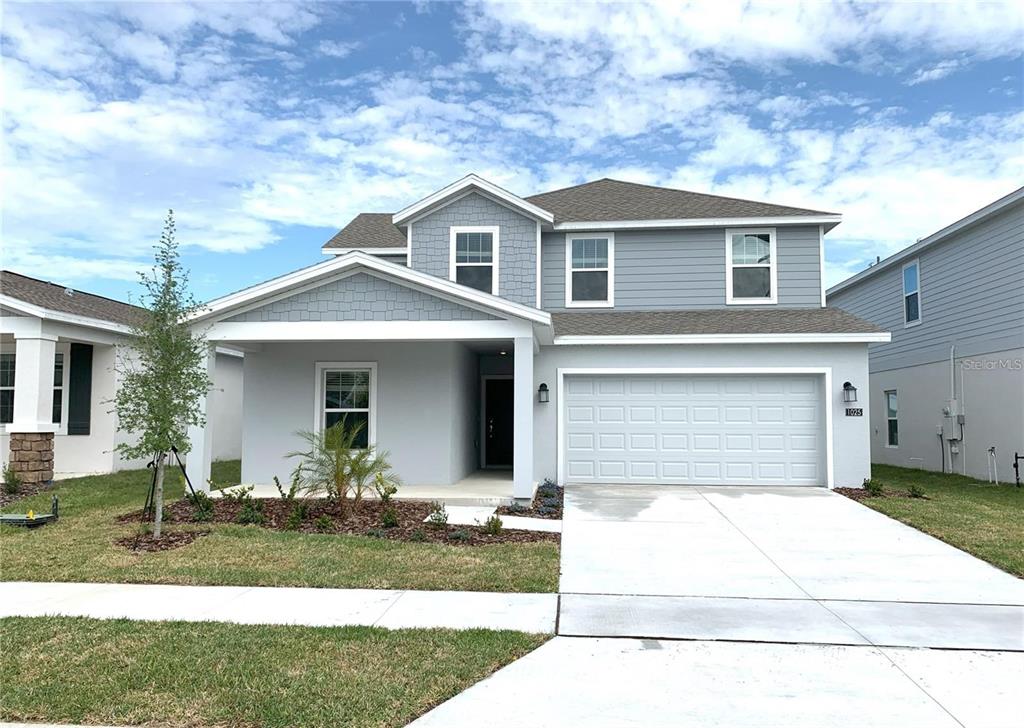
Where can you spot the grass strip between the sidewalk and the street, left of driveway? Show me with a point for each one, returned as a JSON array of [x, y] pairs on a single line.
[[74, 670]]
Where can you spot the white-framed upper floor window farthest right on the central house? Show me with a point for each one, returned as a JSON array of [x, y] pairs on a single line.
[[751, 269]]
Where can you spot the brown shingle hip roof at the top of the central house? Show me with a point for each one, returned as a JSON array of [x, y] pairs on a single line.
[[615, 200]]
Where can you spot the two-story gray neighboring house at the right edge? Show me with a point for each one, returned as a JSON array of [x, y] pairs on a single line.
[[950, 387]]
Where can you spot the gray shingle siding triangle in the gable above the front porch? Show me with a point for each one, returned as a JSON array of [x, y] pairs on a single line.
[[361, 297]]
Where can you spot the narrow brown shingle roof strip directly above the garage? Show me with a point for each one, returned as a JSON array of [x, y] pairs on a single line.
[[748, 321]]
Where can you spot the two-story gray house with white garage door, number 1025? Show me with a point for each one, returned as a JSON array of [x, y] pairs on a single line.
[[608, 332]]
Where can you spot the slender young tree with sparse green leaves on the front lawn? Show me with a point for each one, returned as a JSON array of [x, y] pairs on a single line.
[[163, 374]]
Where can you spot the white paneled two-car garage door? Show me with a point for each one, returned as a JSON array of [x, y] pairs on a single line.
[[700, 430]]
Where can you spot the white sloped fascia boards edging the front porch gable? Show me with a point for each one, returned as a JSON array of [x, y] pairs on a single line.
[[343, 264]]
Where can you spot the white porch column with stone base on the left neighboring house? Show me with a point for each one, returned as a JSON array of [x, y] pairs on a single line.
[[32, 425]]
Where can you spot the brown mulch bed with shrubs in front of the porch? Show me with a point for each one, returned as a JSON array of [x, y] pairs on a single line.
[[324, 517]]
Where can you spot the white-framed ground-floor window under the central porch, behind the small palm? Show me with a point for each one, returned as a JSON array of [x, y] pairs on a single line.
[[346, 394]]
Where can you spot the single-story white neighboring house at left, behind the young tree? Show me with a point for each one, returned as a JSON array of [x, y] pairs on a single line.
[[58, 354]]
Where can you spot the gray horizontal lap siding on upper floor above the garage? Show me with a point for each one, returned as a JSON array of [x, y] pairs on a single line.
[[686, 269]]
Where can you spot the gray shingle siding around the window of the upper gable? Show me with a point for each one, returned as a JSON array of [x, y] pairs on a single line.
[[518, 244]]
